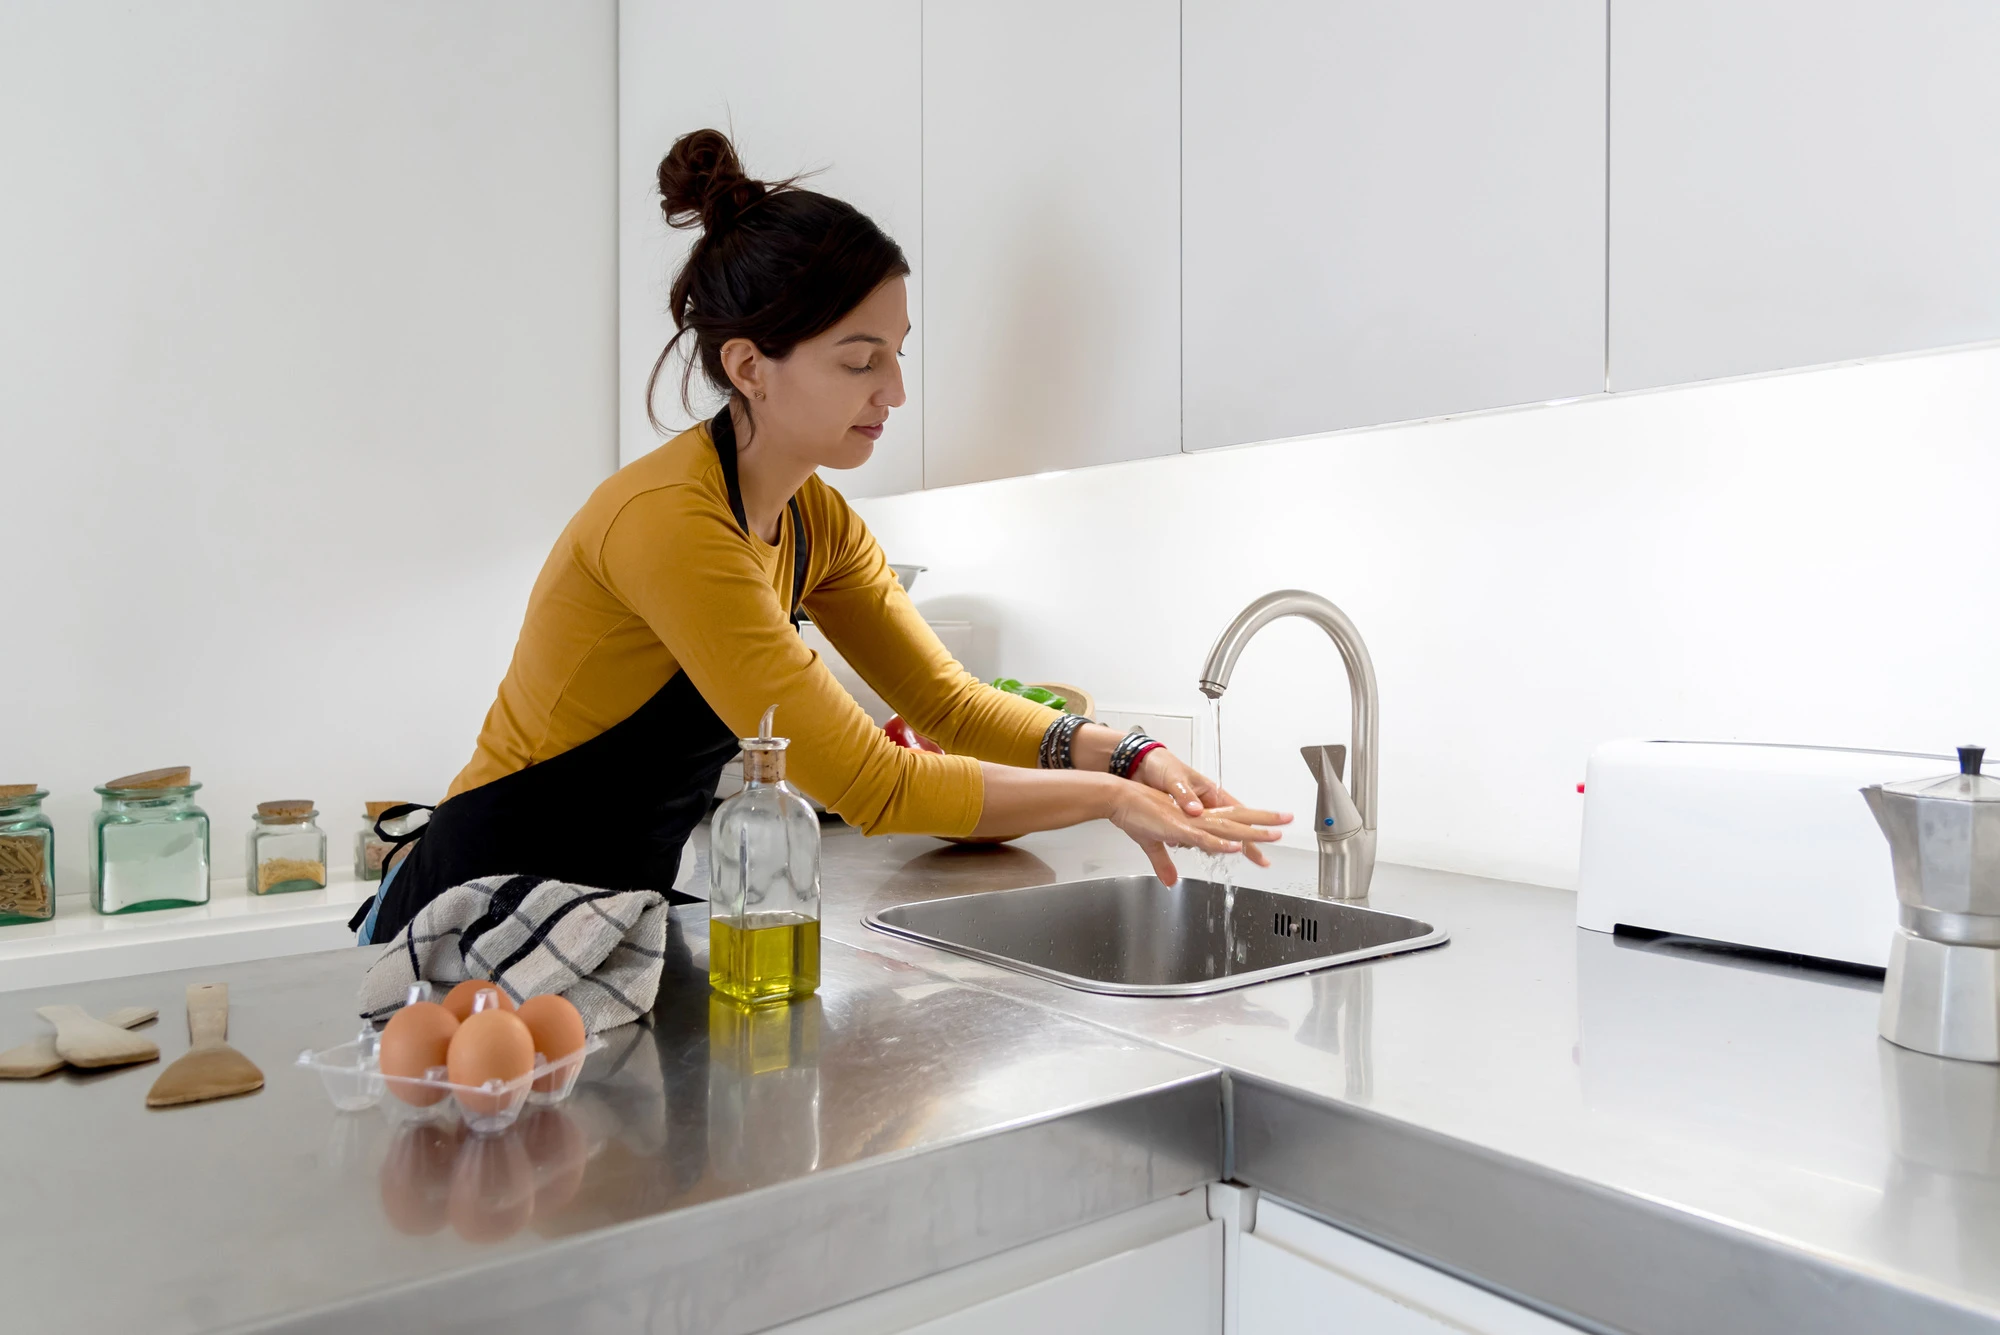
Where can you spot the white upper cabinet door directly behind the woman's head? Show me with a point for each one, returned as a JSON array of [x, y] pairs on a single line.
[[803, 87]]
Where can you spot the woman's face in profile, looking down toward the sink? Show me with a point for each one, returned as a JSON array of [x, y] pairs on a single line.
[[831, 399]]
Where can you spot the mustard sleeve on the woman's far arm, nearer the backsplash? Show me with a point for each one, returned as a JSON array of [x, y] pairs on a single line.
[[869, 617]]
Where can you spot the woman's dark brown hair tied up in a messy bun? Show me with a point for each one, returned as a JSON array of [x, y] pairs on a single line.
[[775, 265]]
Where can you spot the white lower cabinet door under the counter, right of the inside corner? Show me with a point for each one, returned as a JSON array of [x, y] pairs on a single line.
[[1297, 1274]]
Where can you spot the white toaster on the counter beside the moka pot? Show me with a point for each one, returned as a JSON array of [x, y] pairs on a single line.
[[1767, 846]]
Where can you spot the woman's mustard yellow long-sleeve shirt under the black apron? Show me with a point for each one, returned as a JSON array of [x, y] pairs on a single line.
[[655, 577]]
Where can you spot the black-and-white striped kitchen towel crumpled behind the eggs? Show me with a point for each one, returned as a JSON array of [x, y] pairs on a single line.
[[599, 948]]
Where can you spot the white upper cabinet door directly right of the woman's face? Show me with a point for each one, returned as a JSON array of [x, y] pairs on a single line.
[[1051, 235]]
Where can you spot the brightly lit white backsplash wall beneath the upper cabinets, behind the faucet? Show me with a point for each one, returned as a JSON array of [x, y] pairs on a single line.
[[1793, 559]]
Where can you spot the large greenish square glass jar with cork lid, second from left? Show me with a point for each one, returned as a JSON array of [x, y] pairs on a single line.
[[149, 844]]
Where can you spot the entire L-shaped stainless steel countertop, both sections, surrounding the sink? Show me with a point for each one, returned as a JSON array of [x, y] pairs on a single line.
[[1627, 1136]]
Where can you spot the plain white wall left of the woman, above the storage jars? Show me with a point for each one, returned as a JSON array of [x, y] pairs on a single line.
[[307, 355]]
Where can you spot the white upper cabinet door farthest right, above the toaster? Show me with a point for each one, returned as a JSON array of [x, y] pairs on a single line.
[[1801, 181]]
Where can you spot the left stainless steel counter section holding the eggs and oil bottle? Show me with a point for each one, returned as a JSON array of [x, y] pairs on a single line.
[[709, 1176]]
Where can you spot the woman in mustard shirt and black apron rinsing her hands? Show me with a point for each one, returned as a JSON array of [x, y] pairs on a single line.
[[665, 621]]
